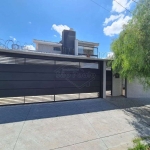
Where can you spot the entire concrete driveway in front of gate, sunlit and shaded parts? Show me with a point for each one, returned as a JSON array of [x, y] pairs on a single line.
[[94, 124]]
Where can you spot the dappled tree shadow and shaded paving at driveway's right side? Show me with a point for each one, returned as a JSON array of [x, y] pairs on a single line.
[[138, 109]]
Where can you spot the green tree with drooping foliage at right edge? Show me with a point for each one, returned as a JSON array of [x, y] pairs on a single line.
[[132, 47]]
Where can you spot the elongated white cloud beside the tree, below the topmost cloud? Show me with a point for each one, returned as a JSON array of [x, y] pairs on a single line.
[[117, 26]]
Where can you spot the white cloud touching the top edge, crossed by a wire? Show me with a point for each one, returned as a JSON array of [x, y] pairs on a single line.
[[118, 8]]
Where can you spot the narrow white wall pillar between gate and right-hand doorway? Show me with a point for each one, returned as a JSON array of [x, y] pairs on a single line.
[[116, 86]]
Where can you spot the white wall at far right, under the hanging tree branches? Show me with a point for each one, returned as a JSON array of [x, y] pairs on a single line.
[[136, 90]]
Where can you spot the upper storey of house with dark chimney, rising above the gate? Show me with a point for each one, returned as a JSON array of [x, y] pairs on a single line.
[[68, 45]]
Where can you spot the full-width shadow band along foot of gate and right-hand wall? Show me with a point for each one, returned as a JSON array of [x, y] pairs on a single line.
[[16, 113]]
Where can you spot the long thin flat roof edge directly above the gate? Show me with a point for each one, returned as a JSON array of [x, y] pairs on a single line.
[[35, 53]]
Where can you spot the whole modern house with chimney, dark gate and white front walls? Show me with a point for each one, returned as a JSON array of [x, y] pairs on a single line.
[[69, 69]]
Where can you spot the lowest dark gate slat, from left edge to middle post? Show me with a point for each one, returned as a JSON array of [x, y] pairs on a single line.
[[26, 92]]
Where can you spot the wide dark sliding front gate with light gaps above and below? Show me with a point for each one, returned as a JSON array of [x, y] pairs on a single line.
[[32, 77]]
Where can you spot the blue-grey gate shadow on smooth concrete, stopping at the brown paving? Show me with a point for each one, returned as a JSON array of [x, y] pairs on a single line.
[[16, 113]]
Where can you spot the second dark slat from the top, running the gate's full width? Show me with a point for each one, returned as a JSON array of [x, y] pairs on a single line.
[[45, 76]]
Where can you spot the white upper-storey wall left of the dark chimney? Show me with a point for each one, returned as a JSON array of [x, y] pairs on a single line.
[[46, 49]]
